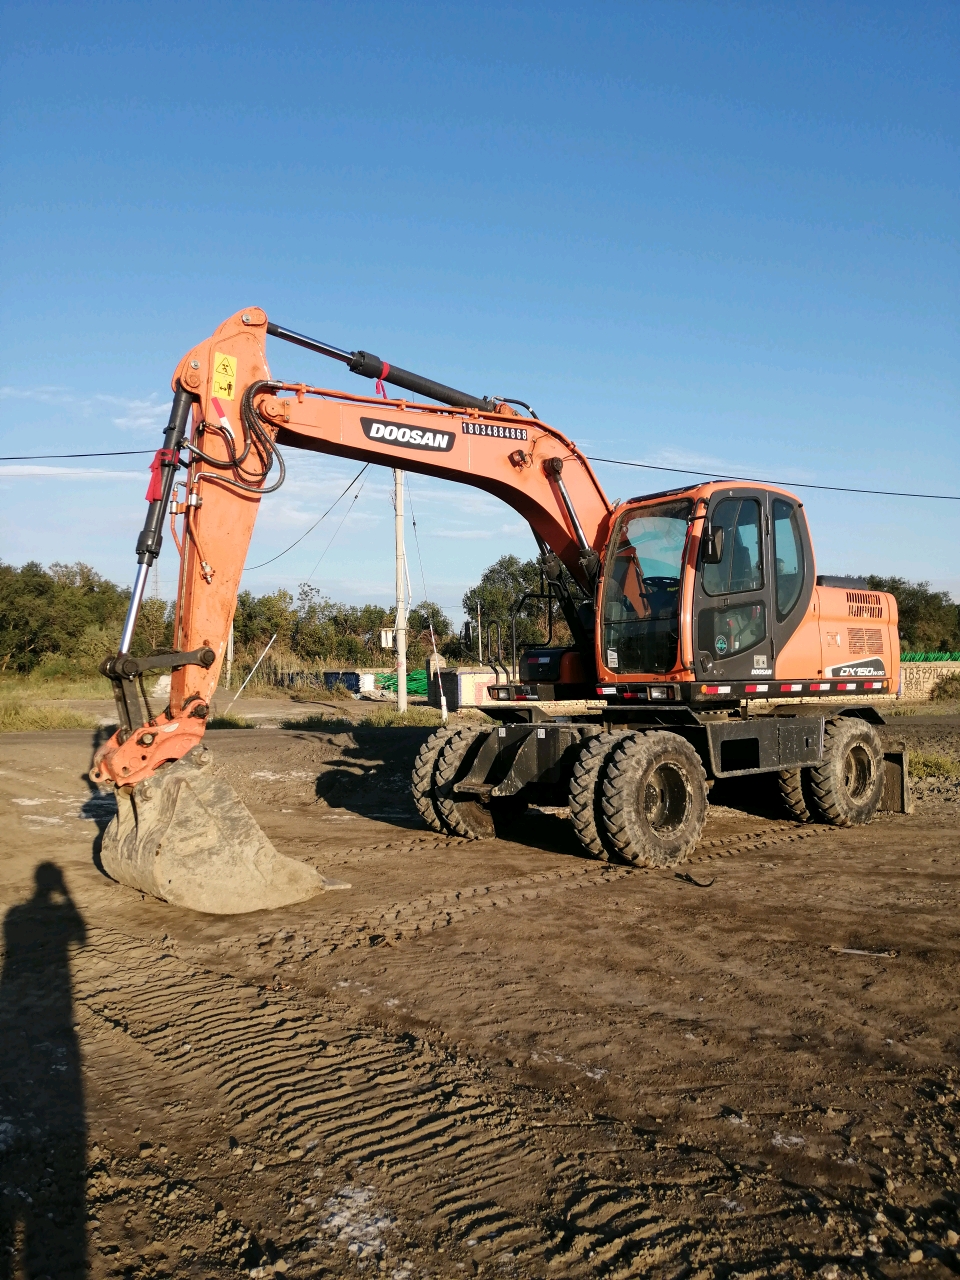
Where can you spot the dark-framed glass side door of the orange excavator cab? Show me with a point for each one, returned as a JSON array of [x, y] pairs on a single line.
[[733, 600]]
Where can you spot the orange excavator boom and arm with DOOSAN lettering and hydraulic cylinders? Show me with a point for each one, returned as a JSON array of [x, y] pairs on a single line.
[[228, 423]]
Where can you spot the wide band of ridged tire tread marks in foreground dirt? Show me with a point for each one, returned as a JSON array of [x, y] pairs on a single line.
[[469, 1165]]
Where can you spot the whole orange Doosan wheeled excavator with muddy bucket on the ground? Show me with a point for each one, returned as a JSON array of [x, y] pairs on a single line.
[[705, 644]]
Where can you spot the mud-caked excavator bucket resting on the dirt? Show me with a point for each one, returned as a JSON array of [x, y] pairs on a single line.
[[185, 836]]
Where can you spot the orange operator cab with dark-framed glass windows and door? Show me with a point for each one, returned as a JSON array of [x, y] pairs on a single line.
[[705, 584]]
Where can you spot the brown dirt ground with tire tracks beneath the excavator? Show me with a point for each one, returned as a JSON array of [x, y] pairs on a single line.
[[497, 1058]]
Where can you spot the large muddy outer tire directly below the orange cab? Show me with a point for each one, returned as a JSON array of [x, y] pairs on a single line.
[[655, 799]]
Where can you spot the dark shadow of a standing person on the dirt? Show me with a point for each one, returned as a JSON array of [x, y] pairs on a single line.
[[43, 1121]]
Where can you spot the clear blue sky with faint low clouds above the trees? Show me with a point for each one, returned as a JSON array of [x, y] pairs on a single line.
[[708, 236]]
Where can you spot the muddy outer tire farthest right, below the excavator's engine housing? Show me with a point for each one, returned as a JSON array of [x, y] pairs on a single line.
[[848, 784]]
